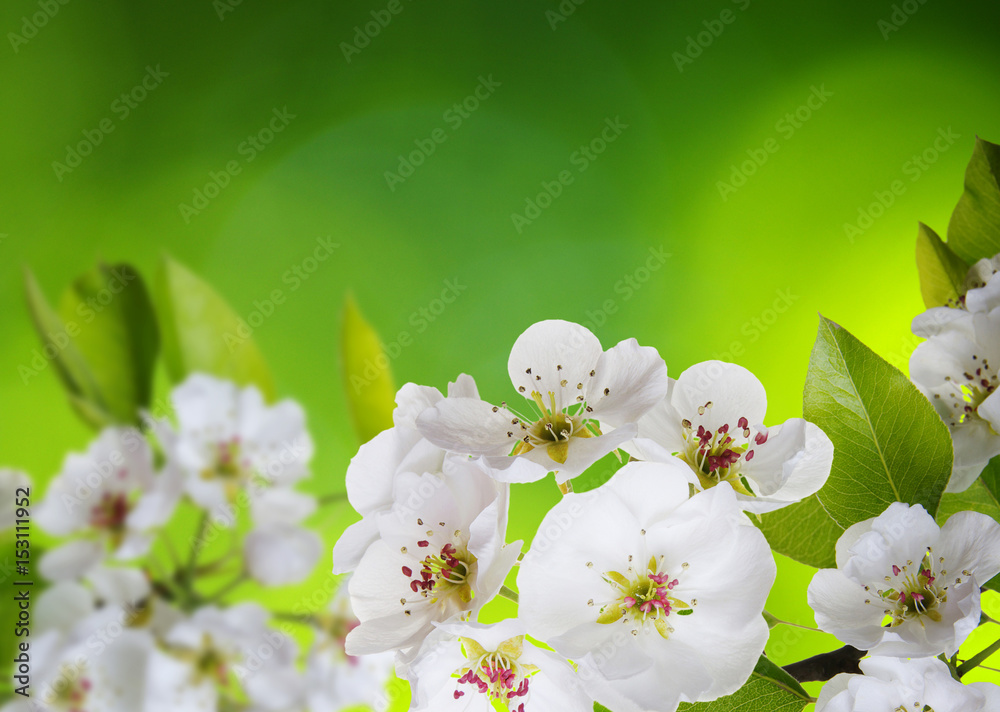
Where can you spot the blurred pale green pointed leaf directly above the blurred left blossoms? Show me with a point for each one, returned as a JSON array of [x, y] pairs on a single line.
[[201, 333]]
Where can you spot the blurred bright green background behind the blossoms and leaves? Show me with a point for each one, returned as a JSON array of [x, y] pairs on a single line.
[[746, 273]]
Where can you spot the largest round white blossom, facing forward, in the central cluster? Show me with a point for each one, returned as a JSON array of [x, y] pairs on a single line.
[[657, 596]]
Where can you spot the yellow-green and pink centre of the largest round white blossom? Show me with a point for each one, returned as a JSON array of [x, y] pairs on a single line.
[[641, 597]]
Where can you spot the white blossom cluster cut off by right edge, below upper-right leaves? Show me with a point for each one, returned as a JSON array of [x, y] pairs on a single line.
[[956, 368]]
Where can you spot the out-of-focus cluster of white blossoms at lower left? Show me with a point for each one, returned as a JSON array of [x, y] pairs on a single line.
[[135, 619]]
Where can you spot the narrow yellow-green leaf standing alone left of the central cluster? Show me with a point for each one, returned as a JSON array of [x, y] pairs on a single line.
[[368, 379]]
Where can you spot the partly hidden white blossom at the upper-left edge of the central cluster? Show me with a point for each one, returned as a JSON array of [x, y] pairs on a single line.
[[401, 448]]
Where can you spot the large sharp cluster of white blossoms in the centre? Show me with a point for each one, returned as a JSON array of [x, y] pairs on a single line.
[[648, 590]]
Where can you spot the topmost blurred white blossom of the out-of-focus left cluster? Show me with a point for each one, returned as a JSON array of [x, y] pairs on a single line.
[[228, 439]]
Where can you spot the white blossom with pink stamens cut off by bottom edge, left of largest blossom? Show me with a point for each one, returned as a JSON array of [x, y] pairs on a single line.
[[469, 667]]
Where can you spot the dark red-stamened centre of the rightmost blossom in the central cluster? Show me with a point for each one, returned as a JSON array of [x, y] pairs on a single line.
[[719, 455]]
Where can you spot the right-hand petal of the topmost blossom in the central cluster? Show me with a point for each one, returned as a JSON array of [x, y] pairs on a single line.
[[634, 378]]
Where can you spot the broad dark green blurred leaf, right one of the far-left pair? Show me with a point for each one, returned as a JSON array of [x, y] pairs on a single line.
[[118, 339]]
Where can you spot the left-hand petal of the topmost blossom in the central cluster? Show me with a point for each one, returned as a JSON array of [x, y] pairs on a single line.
[[469, 426]]
